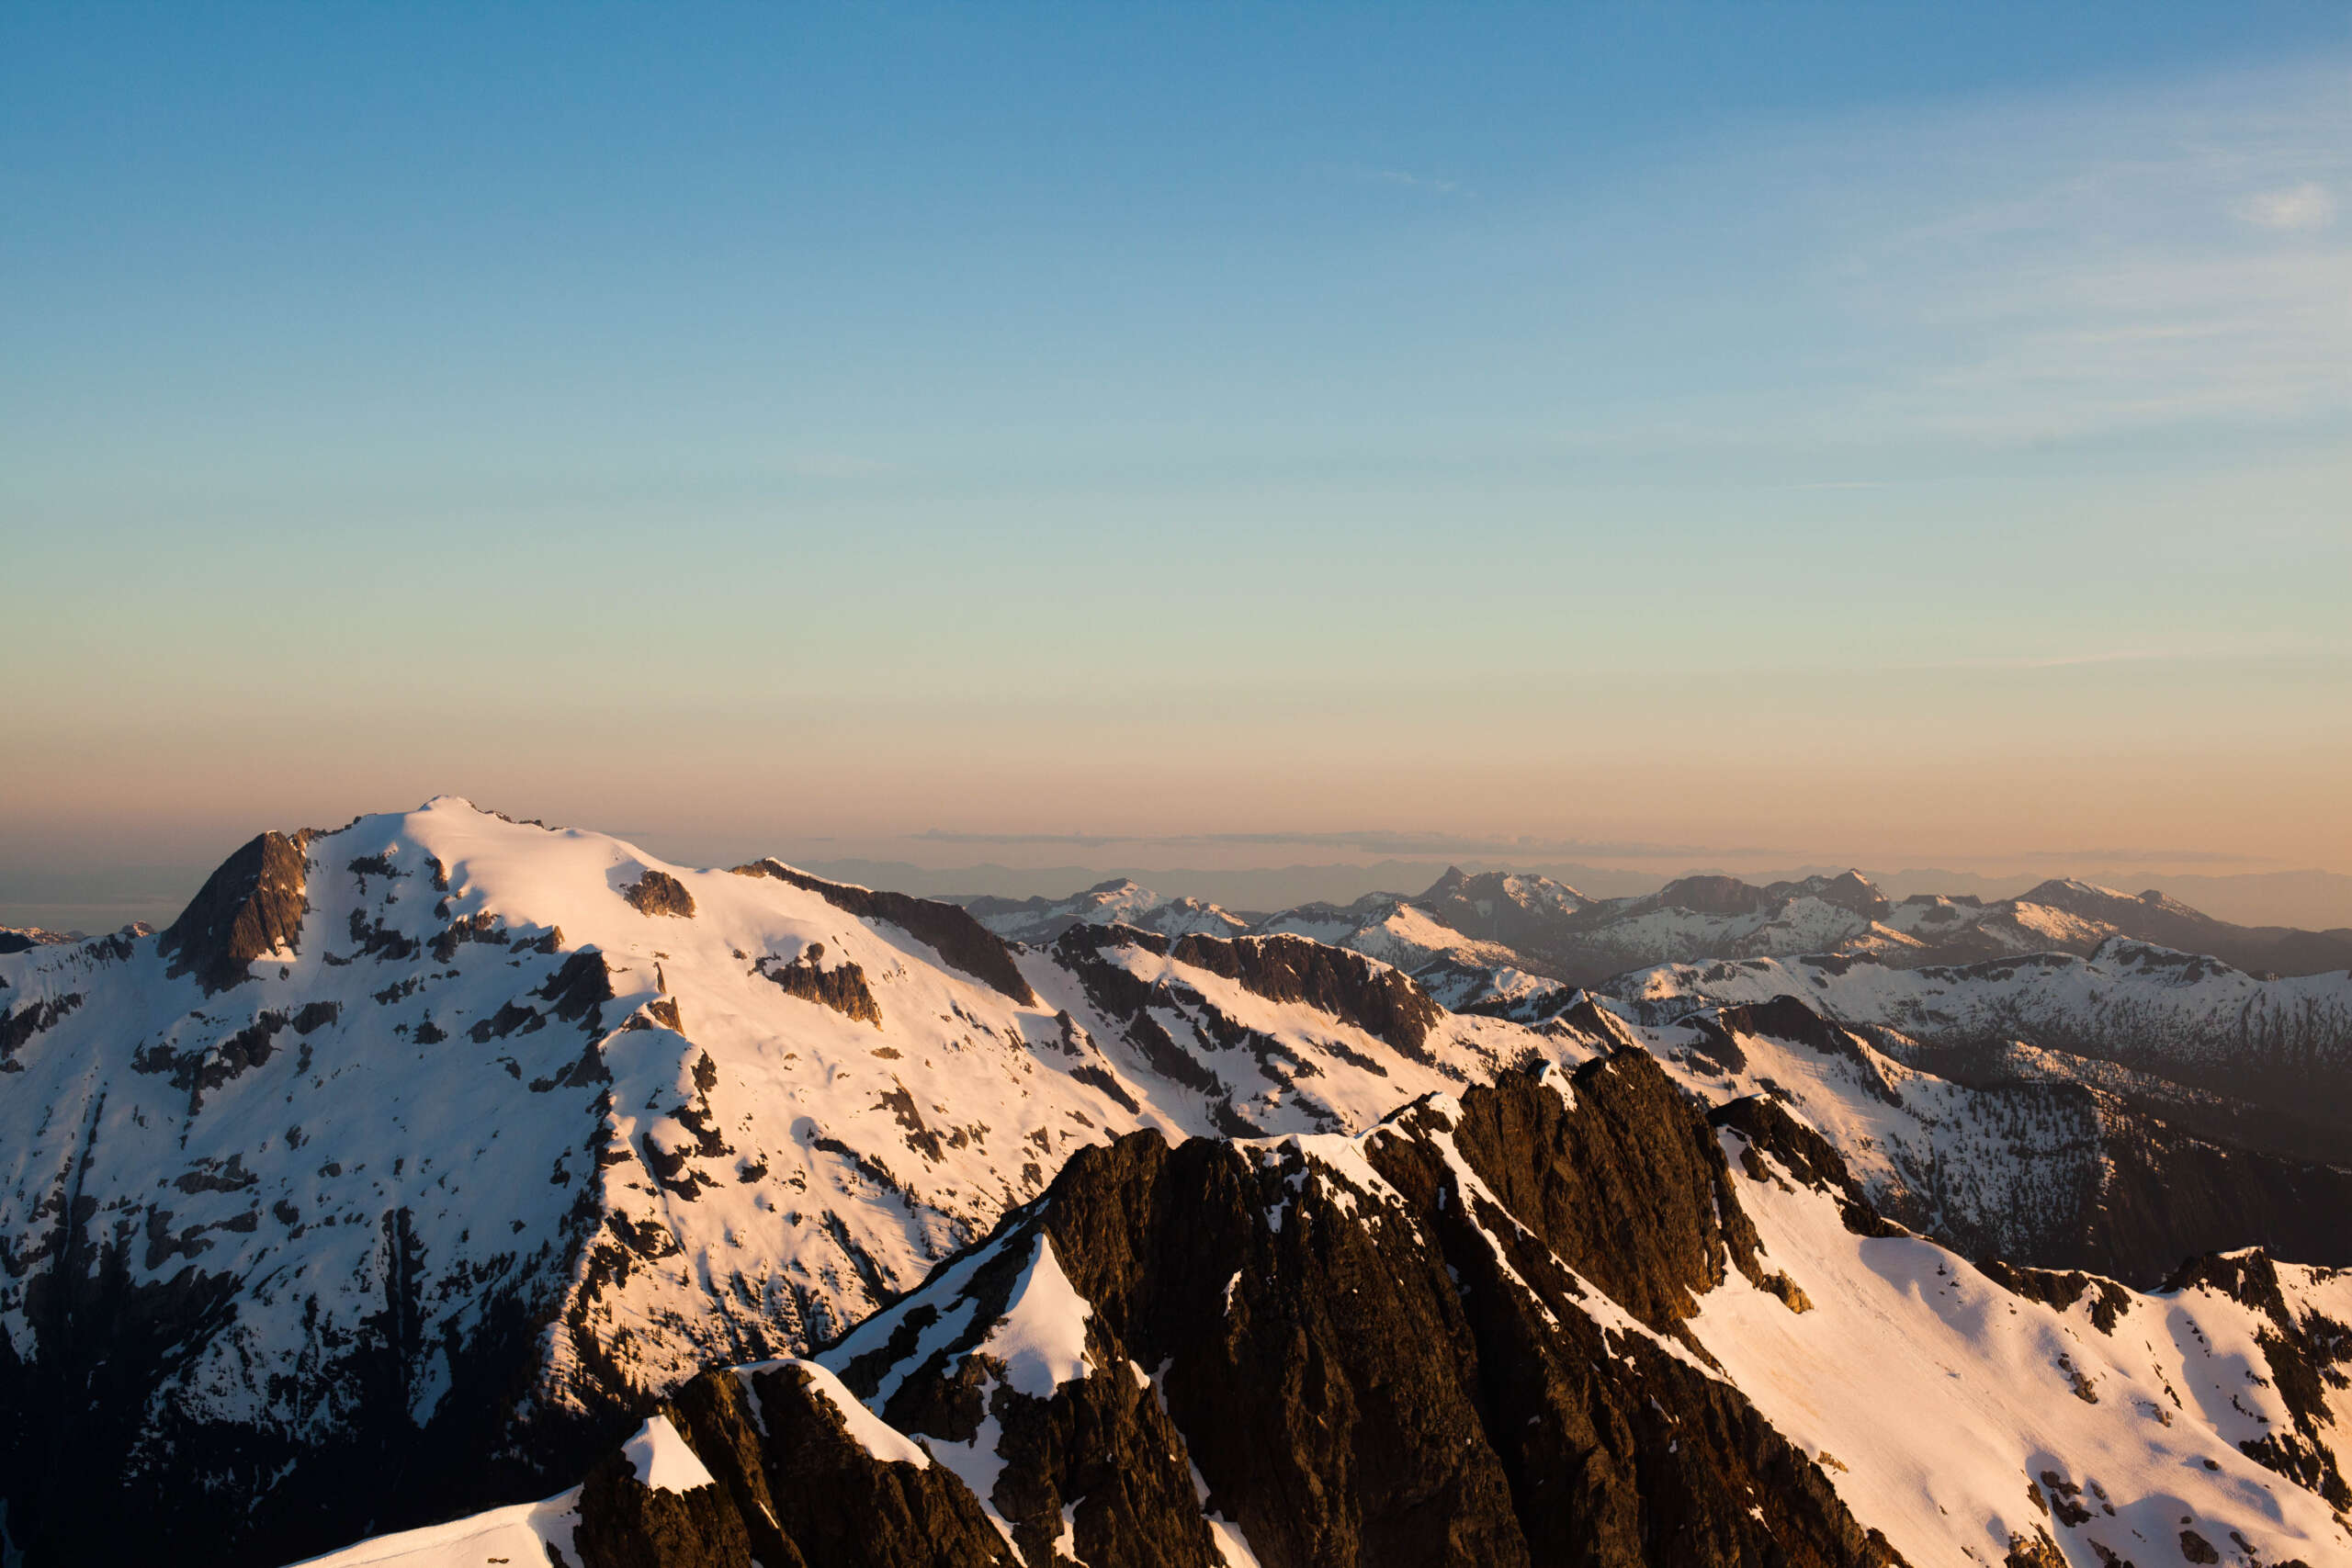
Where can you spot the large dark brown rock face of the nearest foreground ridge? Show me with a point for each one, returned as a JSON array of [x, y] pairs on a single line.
[[1379, 1372]]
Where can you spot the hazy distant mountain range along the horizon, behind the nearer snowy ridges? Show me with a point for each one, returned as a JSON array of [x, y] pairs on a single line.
[[2243, 1033]]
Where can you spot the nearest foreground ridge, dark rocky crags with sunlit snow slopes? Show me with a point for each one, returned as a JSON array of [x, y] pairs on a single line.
[[1445, 1341]]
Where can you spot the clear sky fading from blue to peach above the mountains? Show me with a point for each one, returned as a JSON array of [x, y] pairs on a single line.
[[1728, 436]]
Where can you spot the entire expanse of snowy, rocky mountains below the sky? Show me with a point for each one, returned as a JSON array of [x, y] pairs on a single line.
[[488, 1193]]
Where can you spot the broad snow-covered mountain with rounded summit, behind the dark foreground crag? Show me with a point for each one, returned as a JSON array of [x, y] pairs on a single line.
[[420, 1160]]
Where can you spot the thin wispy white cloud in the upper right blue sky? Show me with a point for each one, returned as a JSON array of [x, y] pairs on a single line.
[[2017, 274]]
